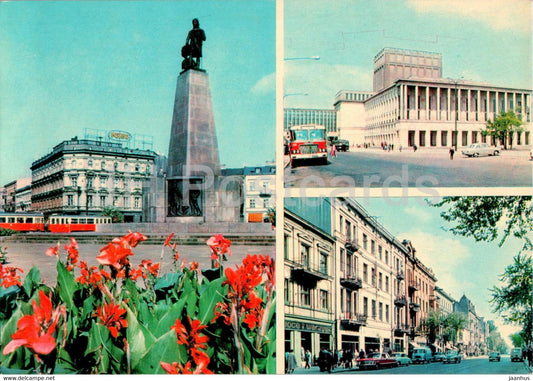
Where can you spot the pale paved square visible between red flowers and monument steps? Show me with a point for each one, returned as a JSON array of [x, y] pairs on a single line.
[[26, 256]]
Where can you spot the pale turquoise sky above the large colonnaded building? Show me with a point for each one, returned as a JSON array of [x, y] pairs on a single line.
[[480, 40]]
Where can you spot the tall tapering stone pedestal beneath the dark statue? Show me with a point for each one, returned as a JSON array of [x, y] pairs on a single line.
[[196, 189]]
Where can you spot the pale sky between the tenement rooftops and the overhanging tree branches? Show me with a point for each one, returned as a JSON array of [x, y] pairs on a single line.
[[460, 264]]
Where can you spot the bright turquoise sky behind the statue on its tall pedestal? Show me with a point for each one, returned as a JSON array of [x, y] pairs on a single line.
[[67, 66]]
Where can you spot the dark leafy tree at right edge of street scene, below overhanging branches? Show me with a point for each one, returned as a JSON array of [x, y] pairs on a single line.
[[514, 299]]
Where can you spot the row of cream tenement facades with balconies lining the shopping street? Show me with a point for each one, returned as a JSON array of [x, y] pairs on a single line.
[[351, 285]]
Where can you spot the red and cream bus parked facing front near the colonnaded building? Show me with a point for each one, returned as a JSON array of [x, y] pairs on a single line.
[[307, 142]]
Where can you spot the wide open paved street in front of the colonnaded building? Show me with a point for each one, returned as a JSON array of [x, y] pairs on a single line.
[[426, 168]]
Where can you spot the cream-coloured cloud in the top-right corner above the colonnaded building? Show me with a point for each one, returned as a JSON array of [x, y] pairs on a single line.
[[501, 15]]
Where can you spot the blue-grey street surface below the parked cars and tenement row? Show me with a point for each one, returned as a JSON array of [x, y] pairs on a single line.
[[476, 365]]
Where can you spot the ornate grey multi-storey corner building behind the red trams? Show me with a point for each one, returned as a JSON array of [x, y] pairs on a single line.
[[84, 176]]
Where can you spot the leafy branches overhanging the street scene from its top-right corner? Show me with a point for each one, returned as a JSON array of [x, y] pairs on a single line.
[[480, 217]]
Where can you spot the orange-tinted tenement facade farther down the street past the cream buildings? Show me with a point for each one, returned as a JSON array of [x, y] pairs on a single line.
[[420, 293]]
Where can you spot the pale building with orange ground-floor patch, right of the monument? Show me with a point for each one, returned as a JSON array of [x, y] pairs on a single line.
[[259, 192]]
